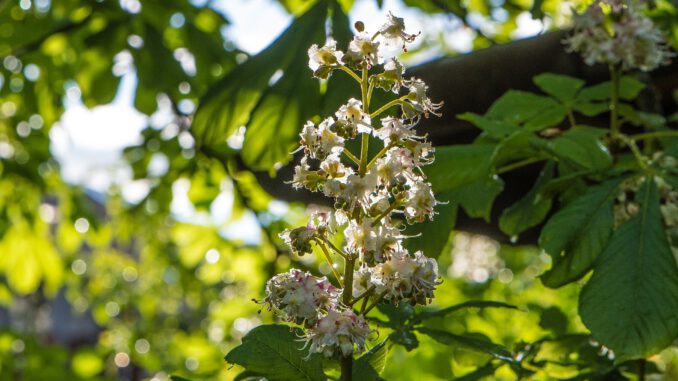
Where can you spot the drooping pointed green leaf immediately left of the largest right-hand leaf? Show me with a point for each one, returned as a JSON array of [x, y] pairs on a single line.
[[576, 235]]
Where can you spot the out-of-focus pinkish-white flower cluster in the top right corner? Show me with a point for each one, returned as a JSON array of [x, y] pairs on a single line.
[[617, 32]]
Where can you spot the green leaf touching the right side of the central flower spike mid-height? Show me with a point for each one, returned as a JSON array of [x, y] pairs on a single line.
[[459, 165]]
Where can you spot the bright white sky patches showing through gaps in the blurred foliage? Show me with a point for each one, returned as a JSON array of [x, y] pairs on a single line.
[[88, 143]]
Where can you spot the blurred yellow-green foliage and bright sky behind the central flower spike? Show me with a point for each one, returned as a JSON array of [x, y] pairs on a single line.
[[131, 251]]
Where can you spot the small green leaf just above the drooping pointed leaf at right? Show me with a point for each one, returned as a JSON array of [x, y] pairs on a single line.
[[582, 145]]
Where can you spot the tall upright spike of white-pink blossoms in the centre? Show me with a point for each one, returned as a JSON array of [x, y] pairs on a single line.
[[375, 196]]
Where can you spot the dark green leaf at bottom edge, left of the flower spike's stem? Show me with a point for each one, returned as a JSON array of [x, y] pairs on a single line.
[[274, 351]]
